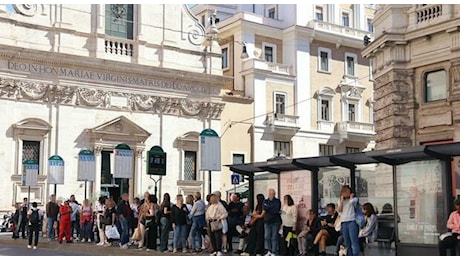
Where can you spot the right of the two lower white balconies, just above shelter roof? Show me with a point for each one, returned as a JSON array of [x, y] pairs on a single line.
[[355, 131]]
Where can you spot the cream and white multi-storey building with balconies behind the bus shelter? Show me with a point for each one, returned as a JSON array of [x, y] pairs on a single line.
[[312, 89]]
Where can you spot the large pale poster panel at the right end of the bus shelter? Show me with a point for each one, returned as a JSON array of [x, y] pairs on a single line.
[[420, 202]]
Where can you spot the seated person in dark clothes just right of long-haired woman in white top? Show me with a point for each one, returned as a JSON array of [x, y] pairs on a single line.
[[308, 234]]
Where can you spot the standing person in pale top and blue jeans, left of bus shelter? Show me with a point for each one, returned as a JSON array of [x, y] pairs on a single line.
[[198, 222]]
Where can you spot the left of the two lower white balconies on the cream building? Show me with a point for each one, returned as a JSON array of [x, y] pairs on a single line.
[[282, 124]]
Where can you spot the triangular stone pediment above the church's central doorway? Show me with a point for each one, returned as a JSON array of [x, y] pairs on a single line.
[[119, 129]]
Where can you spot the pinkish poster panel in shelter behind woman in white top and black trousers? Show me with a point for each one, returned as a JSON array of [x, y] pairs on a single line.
[[298, 185]]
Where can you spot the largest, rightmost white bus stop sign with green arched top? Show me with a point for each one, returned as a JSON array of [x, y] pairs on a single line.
[[210, 150]]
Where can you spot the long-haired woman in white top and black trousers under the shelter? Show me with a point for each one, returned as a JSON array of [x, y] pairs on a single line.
[[289, 222]]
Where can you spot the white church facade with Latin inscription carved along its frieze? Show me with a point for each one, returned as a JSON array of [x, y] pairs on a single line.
[[76, 77]]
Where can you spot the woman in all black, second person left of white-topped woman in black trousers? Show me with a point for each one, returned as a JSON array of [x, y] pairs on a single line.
[[256, 236]]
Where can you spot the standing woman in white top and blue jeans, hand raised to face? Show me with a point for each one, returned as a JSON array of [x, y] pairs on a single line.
[[350, 230]]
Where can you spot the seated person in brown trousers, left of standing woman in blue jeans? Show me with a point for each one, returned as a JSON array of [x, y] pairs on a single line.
[[327, 235]]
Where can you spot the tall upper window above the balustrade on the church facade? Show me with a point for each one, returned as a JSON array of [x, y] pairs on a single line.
[[119, 20]]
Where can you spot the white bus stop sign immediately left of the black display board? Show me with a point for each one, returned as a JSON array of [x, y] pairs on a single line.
[[124, 166]]
